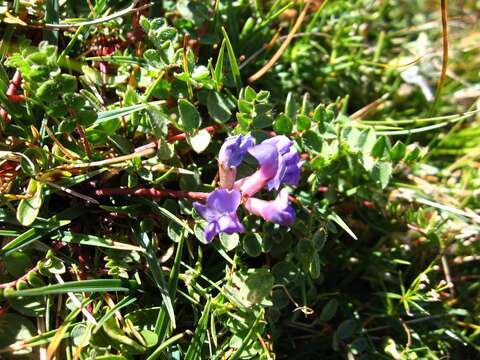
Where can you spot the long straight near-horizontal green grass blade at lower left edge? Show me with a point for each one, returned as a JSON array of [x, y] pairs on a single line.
[[100, 285]]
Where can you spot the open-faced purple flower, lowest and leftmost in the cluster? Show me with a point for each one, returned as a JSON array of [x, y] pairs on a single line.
[[221, 212]]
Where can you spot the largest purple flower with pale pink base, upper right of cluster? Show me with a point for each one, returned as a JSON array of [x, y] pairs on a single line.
[[279, 163]]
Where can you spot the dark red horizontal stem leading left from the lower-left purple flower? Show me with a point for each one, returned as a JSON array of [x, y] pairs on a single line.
[[152, 192]]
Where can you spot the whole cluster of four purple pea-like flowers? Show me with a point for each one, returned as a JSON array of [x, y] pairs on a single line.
[[279, 163]]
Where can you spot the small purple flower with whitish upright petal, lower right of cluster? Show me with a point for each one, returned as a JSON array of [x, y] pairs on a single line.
[[277, 211]]
